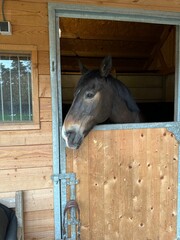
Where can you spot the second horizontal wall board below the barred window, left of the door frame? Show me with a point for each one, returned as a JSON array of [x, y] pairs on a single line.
[[26, 156]]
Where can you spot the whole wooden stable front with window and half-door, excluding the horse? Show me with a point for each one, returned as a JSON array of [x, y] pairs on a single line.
[[123, 182]]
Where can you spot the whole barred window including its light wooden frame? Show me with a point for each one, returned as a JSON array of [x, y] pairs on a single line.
[[18, 87]]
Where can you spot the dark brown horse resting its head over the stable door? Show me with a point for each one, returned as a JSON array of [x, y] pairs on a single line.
[[98, 97]]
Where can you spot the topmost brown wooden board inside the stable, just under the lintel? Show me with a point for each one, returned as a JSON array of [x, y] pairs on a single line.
[[110, 30]]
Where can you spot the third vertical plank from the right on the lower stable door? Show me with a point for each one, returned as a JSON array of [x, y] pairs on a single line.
[[139, 184]]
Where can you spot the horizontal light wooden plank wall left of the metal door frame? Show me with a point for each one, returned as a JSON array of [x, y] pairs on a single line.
[[26, 155]]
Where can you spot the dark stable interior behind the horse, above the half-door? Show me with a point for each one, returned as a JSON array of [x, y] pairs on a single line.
[[143, 58]]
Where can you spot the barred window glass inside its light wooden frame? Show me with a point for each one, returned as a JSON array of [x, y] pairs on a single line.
[[15, 88]]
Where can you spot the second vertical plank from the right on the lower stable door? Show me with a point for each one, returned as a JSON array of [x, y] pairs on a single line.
[[153, 174]]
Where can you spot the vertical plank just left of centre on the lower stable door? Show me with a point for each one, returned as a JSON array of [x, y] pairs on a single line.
[[111, 185]]
